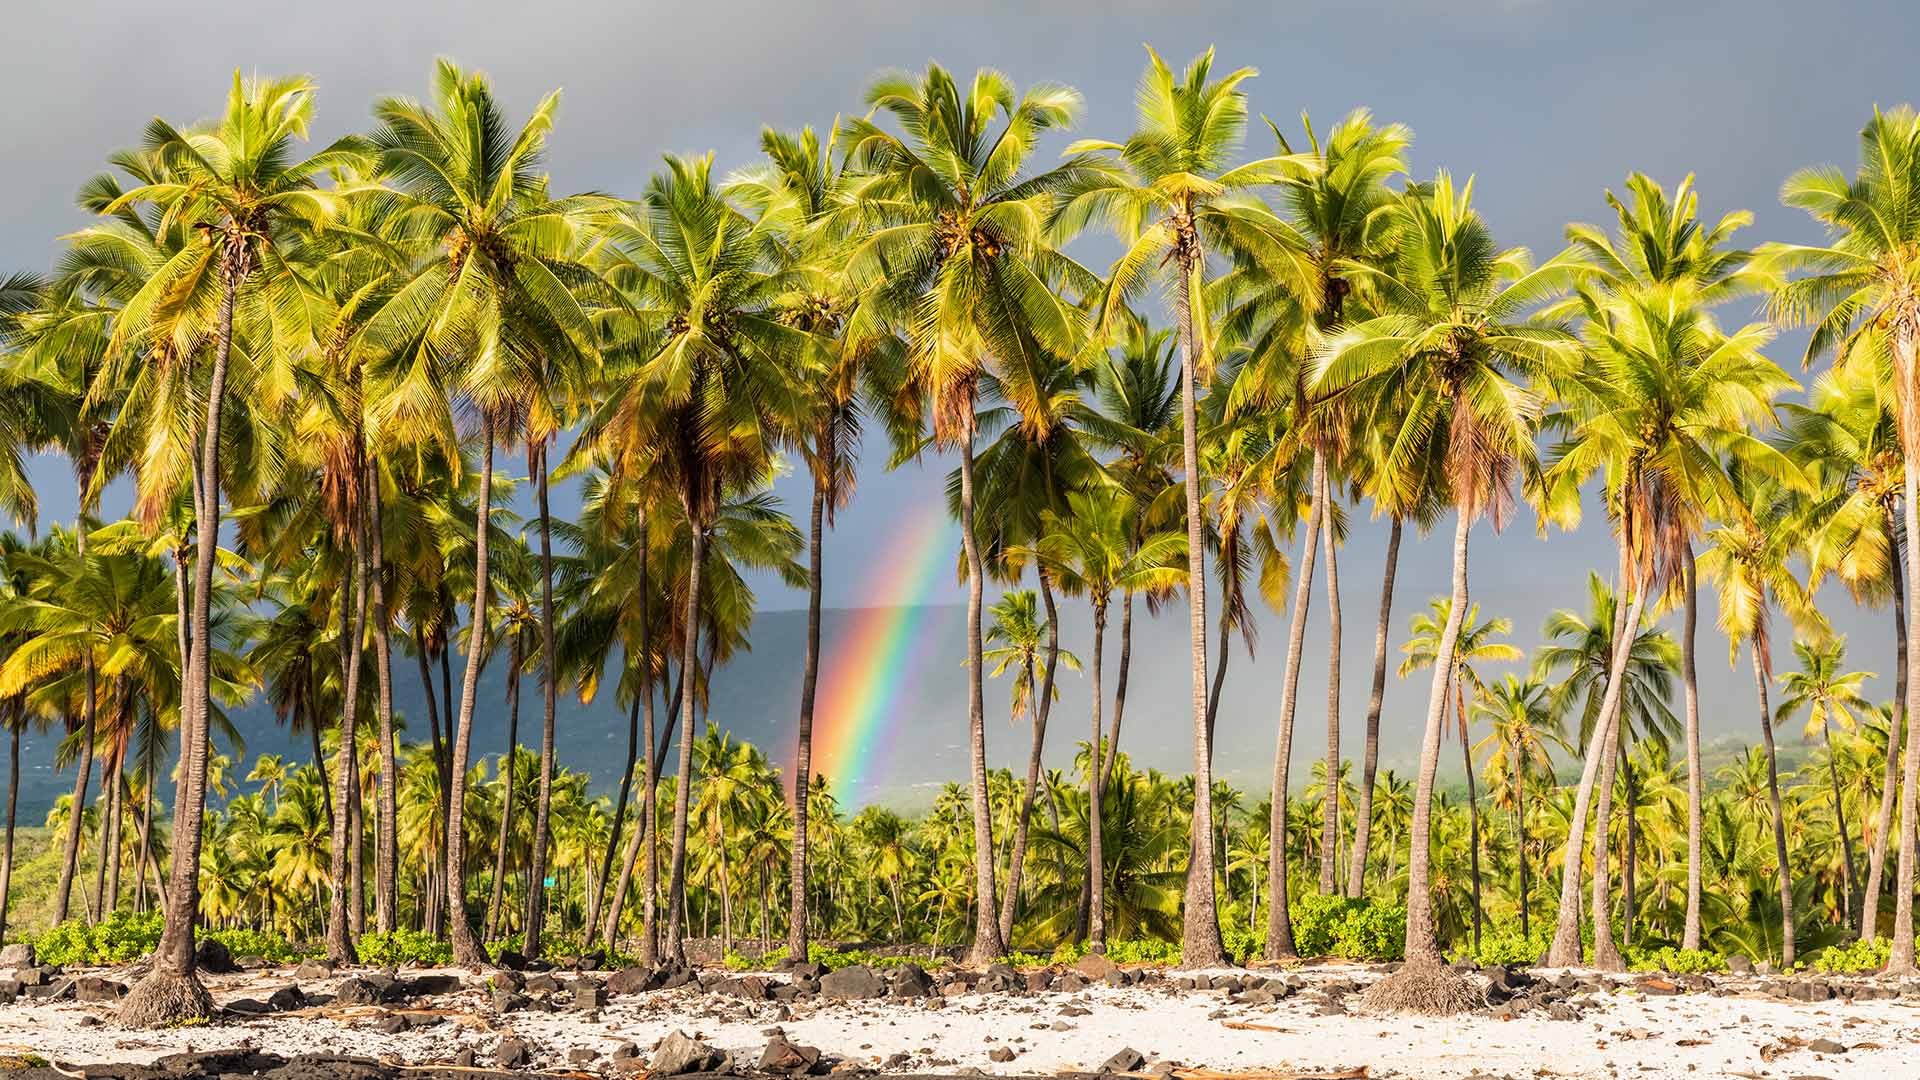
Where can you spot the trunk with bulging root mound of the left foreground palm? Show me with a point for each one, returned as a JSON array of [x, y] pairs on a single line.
[[172, 991]]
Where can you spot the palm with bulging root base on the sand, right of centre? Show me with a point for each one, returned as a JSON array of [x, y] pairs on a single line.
[[1447, 333]]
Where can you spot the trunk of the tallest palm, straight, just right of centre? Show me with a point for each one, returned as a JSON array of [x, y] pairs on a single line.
[[1201, 943]]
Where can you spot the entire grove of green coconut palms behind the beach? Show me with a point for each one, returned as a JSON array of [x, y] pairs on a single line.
[[325, 370]]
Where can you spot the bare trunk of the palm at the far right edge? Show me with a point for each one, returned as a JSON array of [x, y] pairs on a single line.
[[1906, 349]]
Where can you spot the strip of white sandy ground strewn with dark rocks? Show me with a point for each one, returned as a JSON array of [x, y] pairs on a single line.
[[1620, 1035]]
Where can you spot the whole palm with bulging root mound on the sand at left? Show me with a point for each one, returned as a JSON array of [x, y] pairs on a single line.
[[241, 180]]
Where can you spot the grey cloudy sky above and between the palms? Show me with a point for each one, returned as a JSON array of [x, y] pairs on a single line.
[[1547, 103]]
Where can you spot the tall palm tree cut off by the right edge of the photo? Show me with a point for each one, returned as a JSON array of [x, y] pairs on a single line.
[[1860, 299]]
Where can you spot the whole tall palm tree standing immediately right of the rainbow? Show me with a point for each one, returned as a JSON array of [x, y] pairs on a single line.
[[955, 247]]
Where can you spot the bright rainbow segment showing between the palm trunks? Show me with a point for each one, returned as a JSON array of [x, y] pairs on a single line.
[[876, 662]]
